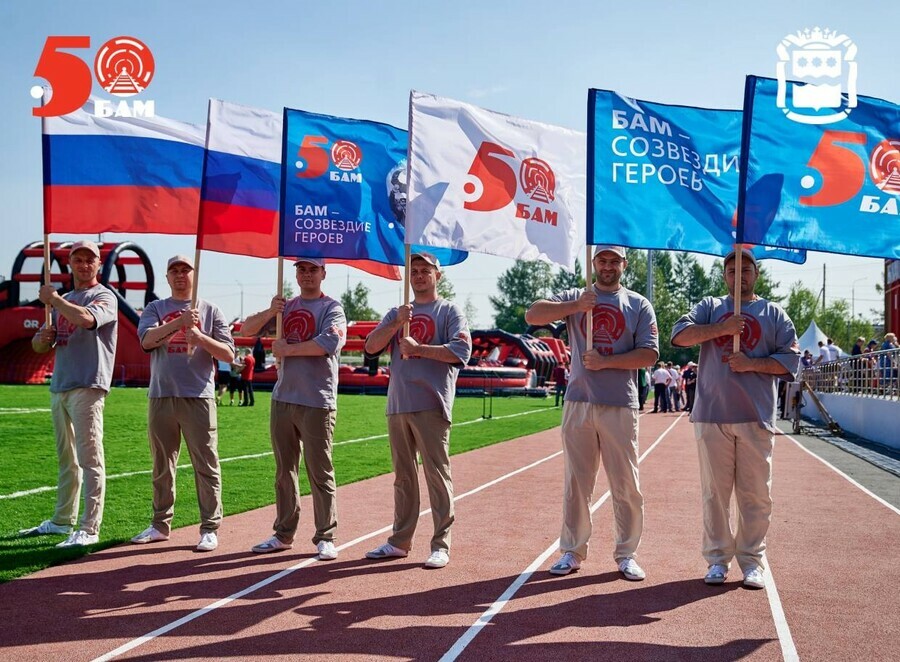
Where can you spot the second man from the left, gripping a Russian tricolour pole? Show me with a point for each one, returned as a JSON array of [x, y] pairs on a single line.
[[182, 400]]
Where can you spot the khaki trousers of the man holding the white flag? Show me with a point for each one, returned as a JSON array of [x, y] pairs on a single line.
[[428, 433]]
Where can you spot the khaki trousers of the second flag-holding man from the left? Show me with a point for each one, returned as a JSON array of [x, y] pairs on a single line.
[[195, 418]]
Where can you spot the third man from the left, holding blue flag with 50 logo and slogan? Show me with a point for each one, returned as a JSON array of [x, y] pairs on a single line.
[[304, 405]]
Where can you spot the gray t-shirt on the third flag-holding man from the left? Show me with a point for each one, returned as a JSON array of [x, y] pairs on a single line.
[[312, 380]]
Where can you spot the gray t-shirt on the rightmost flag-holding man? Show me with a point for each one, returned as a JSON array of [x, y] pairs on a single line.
[[724, 396]]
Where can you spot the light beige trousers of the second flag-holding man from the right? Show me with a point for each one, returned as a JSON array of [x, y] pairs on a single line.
[[591, 433]]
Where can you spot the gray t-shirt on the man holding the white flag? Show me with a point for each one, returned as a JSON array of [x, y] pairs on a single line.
[[419, 384]]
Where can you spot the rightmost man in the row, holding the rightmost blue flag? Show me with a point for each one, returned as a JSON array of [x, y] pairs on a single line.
[[734, 415]]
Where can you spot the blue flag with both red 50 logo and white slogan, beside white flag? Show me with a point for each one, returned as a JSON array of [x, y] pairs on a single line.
[[343, 192]]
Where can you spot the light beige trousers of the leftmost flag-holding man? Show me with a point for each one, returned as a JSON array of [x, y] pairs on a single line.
[[78, 421]]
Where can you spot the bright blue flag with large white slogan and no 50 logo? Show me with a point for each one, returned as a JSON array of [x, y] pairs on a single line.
[[664, 177]]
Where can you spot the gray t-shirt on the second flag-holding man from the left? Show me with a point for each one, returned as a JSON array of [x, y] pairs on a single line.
[[172, 372]]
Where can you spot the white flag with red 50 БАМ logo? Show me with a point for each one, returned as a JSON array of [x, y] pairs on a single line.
[[490, 183]]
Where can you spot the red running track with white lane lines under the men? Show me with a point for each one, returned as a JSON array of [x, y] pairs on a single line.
[[832, 551]]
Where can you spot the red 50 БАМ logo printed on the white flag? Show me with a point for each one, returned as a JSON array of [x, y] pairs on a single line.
[[492, 184]]
